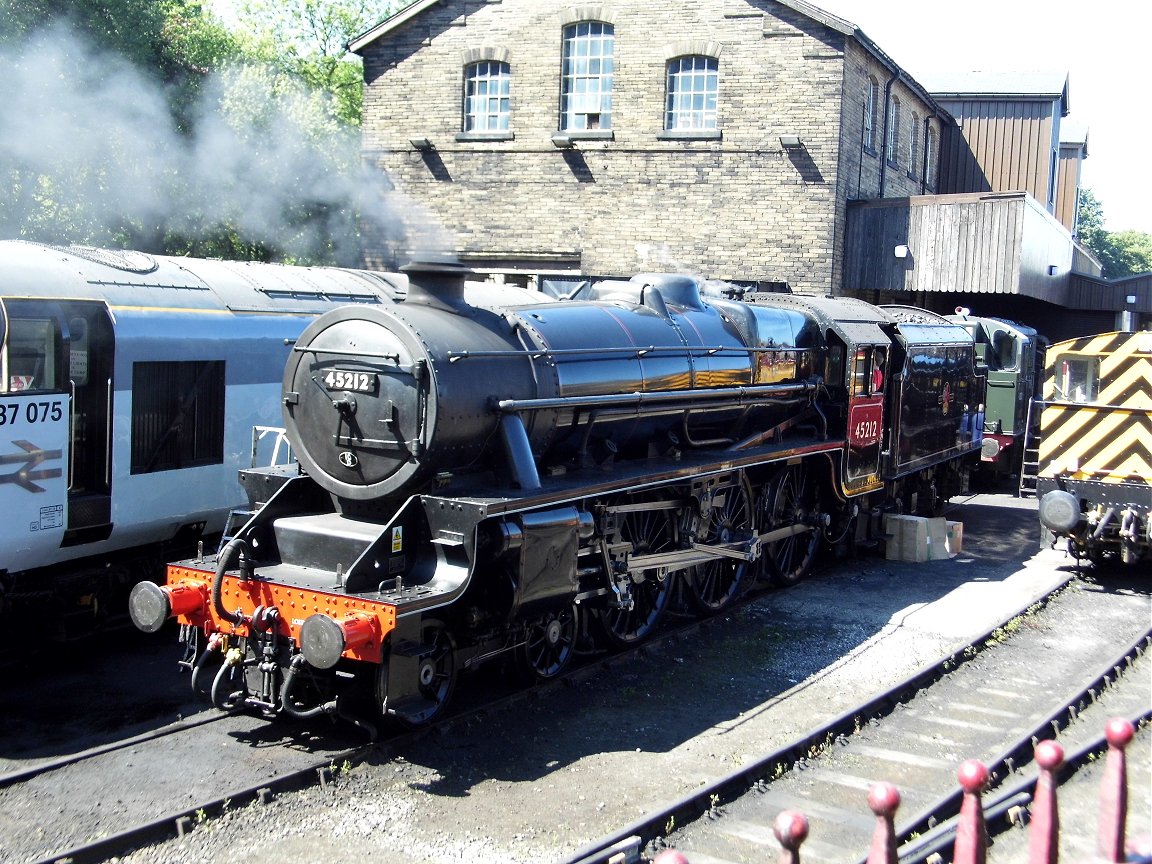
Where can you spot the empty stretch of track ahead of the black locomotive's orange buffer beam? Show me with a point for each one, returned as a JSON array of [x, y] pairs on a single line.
[[96, 804]]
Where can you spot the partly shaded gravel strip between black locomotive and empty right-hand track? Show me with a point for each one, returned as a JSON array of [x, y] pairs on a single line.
[[537, 783]]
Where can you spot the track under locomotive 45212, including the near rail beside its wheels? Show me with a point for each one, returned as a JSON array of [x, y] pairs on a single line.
[[240, 760]]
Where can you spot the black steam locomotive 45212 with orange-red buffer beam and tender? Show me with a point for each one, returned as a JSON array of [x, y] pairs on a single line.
[[480, 481]]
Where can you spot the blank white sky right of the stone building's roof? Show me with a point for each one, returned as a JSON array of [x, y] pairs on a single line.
[[1102, 46]]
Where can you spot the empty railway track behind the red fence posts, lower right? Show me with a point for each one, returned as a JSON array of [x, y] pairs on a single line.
[[991, 702]]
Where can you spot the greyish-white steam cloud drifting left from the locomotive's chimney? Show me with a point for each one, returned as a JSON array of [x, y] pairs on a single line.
[[89, 153]]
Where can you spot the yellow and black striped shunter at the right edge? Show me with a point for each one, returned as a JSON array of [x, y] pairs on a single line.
[[1096, 446]]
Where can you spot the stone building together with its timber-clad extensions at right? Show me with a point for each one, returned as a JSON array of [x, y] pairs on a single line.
[[763, 142]]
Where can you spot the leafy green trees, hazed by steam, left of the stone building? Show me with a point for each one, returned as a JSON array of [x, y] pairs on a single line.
[[151, 125]]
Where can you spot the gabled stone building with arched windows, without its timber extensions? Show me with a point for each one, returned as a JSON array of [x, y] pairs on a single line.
[[722, 138]]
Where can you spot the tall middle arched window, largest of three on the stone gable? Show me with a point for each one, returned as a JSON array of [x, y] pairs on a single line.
[[586, 90]]
